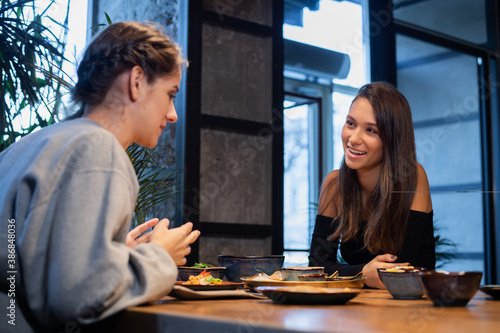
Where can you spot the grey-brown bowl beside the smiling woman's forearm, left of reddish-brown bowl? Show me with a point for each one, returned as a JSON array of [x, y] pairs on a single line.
[[402, 285]]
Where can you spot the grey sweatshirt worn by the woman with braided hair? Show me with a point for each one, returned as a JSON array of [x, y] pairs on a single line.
[[67, 194]]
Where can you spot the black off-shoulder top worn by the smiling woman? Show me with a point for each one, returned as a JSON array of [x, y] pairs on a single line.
[[418, 246]]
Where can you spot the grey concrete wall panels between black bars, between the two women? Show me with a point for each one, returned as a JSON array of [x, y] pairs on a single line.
[[235, 167]]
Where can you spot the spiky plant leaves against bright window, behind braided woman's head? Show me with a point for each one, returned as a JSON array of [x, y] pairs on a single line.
[[31, 57]]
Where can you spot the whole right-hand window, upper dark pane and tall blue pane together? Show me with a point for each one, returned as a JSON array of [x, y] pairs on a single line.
[[442, 87]]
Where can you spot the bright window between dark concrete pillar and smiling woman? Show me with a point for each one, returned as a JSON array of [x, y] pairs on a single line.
[[316, 103]]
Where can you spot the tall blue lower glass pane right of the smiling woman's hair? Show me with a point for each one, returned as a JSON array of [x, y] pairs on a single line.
[[441, 86]]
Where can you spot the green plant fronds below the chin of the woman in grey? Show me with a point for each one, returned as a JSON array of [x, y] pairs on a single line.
[[156, 181]]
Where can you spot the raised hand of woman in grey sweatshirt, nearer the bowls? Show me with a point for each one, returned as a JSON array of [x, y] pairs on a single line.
[[175, 241]]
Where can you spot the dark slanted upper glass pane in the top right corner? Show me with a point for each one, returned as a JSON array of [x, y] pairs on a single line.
[[464, 19]]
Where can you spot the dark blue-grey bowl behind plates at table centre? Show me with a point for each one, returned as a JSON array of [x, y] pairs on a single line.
[[247, 266]]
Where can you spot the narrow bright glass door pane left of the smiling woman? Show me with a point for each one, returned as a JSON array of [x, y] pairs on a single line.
[[300, 164]]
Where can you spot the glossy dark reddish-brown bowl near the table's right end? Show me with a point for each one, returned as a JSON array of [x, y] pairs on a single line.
[[450, 288]]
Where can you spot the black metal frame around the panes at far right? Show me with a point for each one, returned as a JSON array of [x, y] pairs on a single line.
[[383, 67]]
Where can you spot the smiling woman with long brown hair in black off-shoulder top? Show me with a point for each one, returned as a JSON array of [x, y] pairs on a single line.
[[377, 207]]
